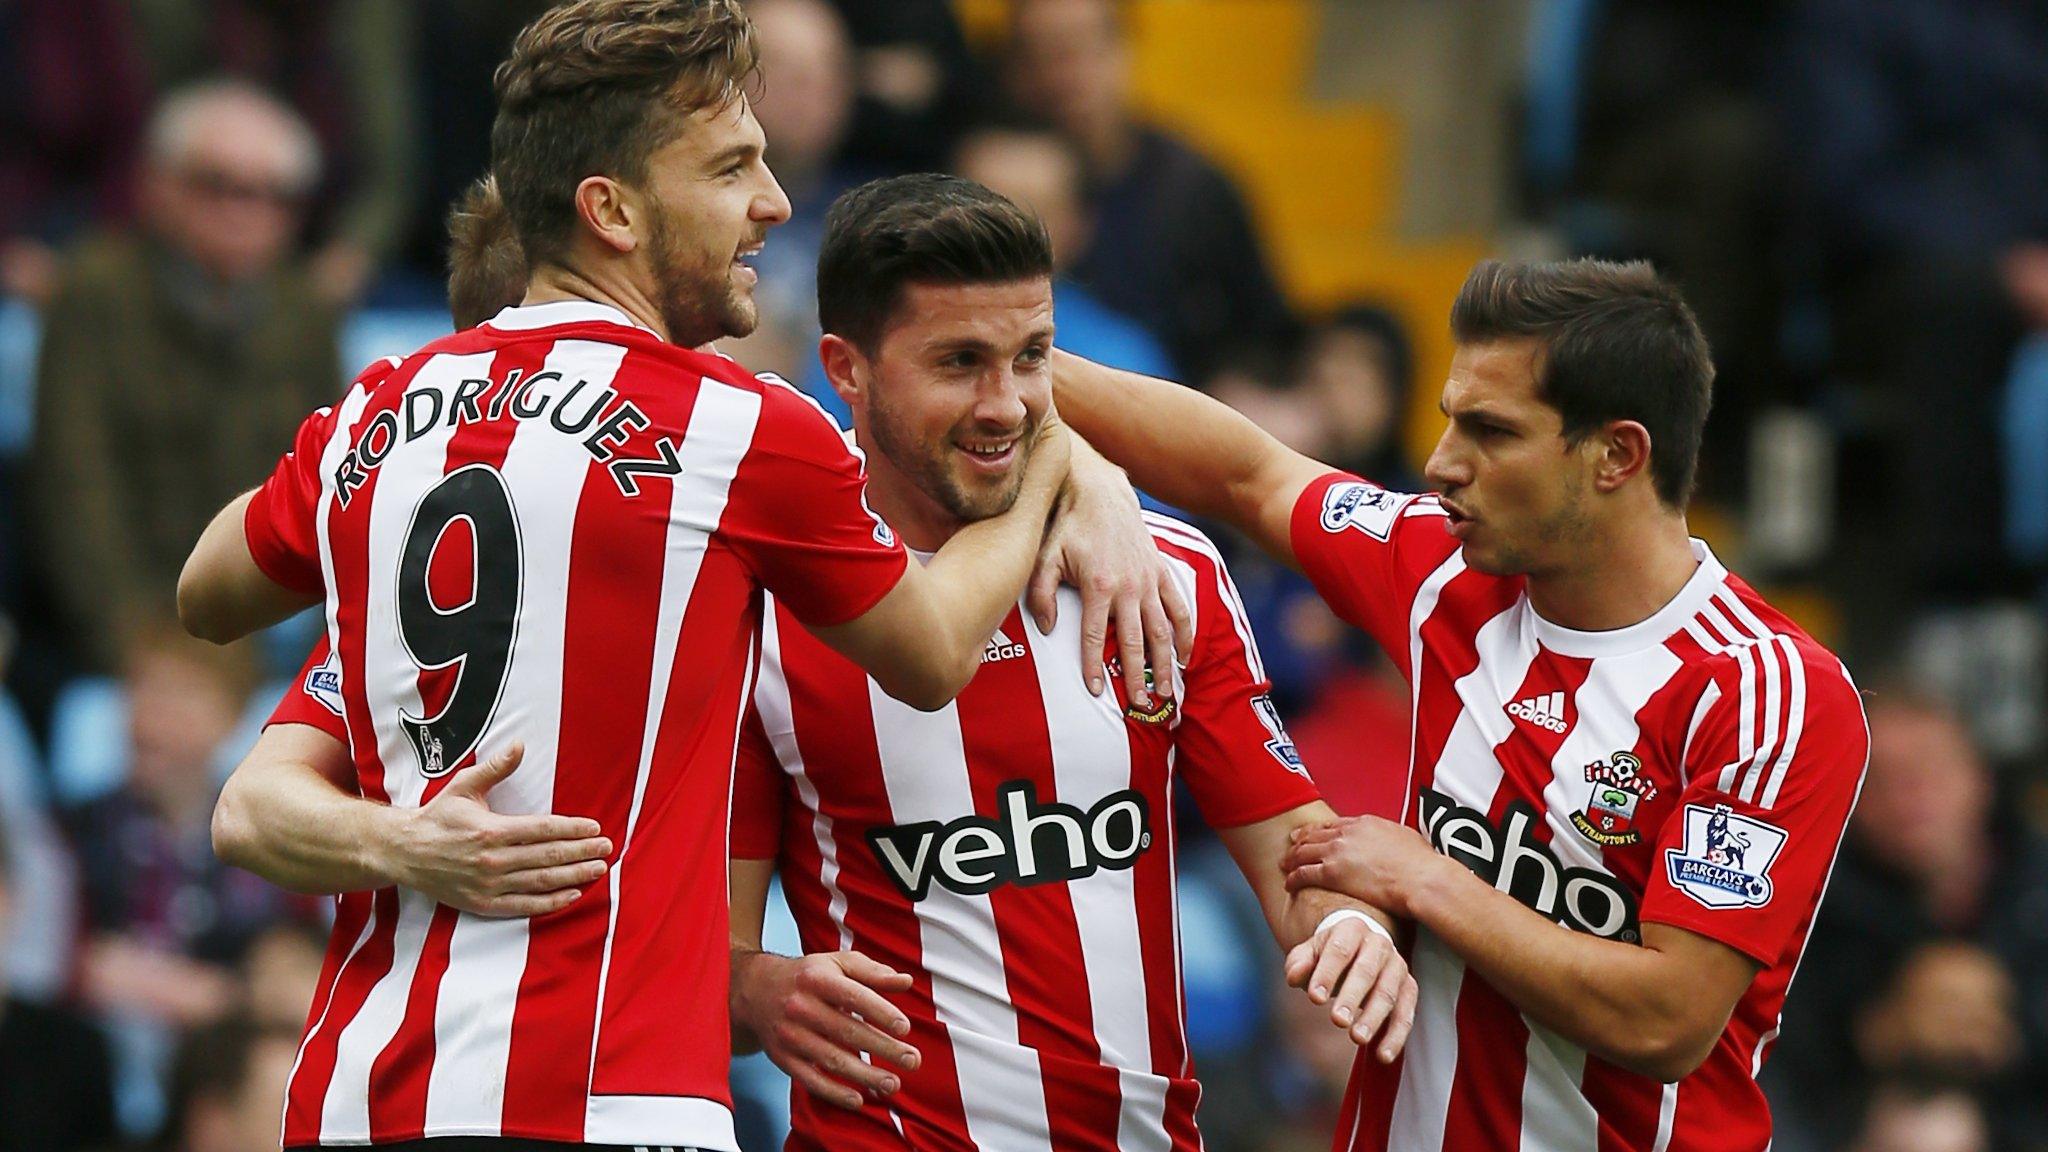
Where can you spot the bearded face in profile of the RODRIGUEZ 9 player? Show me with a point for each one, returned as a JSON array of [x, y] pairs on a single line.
[[712, 202]]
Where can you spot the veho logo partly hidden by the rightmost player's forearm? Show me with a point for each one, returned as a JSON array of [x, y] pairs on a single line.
[[1512, 860]]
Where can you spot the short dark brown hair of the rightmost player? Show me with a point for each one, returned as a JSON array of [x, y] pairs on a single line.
[[1619, 345]]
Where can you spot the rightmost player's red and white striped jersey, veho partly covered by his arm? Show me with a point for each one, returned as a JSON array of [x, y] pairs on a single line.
[[1695, 770]]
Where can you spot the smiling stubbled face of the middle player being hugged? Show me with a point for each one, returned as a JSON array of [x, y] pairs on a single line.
[[951, 401]]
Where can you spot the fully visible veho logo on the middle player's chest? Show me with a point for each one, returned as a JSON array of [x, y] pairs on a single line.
[[1029, 844]]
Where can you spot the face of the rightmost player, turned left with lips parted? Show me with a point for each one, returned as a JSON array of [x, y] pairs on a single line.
[[1517, 489]]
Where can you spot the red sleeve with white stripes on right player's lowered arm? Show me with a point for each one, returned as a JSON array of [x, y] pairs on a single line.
[[1770, 786]]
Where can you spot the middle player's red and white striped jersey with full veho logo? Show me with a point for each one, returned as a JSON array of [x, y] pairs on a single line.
[[1015, 854]]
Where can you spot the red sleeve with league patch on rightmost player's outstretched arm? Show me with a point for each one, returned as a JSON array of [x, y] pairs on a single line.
[[1369, 550]]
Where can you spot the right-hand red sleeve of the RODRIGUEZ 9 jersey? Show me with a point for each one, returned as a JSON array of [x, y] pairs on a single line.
[[798, 516]]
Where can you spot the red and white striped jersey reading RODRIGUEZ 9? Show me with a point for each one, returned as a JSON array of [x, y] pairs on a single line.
[[554, 530]]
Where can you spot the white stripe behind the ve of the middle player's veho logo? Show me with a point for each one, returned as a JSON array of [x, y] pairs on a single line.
[[1002, 1089]]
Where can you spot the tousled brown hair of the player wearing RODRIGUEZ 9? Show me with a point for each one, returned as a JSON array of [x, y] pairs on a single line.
[[597, 87]]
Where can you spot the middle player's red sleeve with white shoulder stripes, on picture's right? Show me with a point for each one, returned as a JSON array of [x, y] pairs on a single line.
[[1230, 743]]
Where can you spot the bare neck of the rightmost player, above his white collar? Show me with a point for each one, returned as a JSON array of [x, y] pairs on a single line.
[[1621, 579]]
